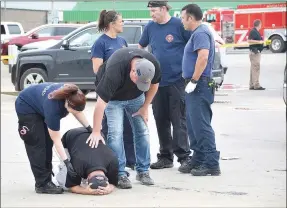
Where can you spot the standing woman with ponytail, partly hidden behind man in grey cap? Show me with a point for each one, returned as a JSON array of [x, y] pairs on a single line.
[[111, 23]]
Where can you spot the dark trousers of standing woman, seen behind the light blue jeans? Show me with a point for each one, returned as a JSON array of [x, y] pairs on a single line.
[[127, 137]]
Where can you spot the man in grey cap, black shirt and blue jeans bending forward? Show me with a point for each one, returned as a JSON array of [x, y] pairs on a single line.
[[121, 84]]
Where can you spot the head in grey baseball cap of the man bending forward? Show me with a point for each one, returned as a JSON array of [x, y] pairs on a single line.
[[142, 72]]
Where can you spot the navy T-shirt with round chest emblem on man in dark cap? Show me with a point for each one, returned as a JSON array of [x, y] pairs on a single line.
[[167, 42]]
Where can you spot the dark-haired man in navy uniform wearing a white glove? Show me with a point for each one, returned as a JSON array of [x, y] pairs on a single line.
[[197, 62]]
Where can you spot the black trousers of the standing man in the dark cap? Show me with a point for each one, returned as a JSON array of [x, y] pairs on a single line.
[[169, 108]]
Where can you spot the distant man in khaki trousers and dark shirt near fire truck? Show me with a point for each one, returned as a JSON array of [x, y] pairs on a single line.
[[256, 47]]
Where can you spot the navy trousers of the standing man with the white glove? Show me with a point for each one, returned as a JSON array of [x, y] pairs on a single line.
[[200, 131]]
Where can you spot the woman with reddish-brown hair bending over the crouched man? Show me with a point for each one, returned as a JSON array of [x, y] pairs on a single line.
[[39, 109]]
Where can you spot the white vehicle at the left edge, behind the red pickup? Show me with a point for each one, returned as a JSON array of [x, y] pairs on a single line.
[[10, 30]]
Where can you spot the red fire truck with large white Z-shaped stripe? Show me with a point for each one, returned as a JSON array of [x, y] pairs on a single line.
[[234, 25]]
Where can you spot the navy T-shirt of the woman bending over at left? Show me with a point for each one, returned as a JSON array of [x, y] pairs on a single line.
[[34, 100]]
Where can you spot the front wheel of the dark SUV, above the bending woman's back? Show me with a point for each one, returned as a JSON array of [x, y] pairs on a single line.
[[32, 76]]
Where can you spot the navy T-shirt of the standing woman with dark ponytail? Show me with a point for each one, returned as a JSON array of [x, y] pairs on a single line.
[[105, 46]]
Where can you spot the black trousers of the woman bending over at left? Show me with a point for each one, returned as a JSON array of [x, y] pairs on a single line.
[[38, 143]]
